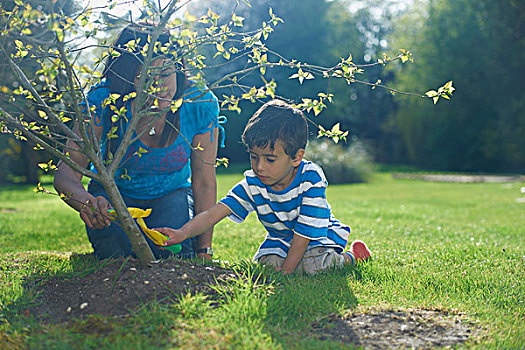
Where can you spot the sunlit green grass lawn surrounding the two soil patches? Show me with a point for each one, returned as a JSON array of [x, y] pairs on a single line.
[[436, 245]]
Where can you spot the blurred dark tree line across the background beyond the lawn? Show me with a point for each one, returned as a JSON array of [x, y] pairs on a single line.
[[477, 44]]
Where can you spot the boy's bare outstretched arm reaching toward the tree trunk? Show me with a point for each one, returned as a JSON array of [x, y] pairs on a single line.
[[201, 223]]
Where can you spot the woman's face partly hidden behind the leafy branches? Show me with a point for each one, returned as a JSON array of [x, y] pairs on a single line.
[[165, 82]]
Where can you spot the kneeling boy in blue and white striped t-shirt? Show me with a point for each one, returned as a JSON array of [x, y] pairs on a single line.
[[288, 194]]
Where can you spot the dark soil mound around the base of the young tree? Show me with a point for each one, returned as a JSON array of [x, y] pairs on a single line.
[[120, 287]]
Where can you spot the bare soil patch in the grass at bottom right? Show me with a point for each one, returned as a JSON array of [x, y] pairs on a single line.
[[397, 329]]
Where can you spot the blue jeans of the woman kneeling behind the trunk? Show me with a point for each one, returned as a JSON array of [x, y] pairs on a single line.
[[172, 210]]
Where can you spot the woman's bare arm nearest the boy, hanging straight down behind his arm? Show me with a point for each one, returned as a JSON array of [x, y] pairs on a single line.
[[203, 180]]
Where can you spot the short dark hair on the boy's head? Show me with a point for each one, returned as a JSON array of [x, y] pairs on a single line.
[[277, 120]]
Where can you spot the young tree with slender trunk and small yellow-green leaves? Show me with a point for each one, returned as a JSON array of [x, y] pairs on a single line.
[[64, 121]]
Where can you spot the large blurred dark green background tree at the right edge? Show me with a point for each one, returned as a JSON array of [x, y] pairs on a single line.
[[480, 45]]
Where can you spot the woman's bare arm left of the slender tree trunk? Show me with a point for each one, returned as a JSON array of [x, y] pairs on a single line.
[[69, 182]]
